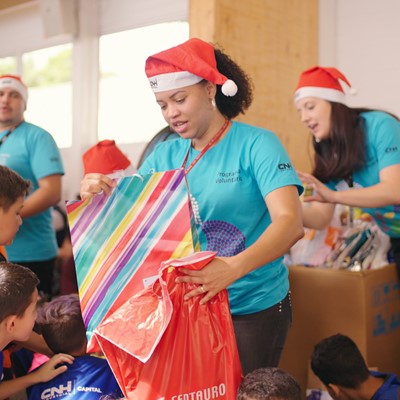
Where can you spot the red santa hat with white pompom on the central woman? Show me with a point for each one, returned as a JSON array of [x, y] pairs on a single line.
[[185, 65]]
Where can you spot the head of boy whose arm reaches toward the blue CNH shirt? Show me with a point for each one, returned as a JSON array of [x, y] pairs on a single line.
[[18, 299]]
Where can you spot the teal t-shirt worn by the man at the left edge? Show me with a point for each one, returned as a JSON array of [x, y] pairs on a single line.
[[32, 152]]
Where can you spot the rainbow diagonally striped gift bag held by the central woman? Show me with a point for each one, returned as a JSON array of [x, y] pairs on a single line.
[[120, 240]]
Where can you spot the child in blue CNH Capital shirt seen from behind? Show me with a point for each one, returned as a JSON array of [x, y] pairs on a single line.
[[63, 329]]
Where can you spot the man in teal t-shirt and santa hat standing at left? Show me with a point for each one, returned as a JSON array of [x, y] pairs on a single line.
[[32, 152]]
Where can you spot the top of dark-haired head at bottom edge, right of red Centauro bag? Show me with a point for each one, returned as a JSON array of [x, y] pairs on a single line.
[[269, 384]]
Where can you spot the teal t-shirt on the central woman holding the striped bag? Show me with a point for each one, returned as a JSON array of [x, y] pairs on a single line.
[[227, 189]]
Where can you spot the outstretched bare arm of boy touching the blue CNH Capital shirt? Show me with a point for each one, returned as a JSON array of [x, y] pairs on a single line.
[[46, 372]]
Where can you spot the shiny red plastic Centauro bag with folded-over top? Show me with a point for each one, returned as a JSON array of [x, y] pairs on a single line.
[[161, 347]]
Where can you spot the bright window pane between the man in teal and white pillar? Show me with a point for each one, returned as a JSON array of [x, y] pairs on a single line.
[[48, 75]]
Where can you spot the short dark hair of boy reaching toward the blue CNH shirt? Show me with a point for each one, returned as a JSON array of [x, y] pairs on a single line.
[[17, 285]]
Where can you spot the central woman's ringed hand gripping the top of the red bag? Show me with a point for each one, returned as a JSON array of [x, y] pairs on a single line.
[[214, 277]]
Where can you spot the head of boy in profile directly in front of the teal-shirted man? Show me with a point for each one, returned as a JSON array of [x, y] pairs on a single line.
[[13, 189]]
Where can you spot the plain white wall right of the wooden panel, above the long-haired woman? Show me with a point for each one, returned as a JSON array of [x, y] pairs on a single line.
[[362, 39]]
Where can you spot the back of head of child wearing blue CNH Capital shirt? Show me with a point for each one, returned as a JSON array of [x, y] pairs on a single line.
[[62, 326]]
